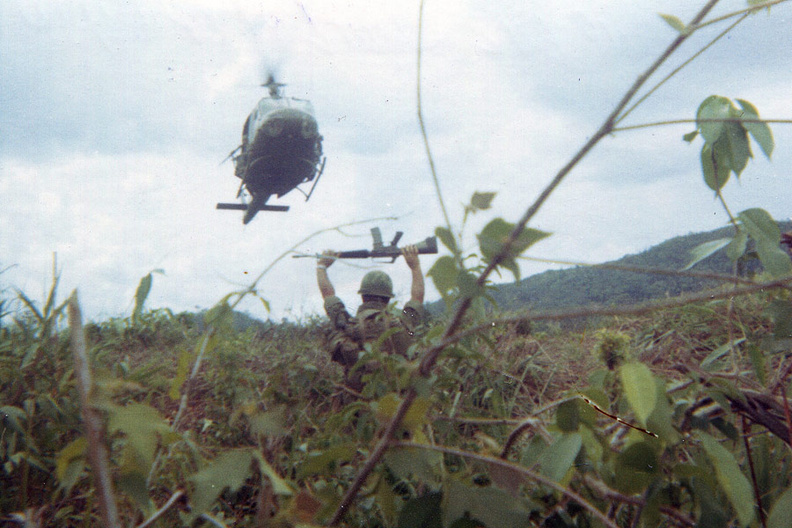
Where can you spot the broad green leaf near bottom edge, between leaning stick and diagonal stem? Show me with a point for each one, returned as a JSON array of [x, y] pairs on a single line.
[[229, 470]]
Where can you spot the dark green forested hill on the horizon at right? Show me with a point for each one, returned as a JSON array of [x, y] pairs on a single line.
[[583, 286]]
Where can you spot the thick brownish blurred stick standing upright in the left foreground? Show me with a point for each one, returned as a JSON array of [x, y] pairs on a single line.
[[94, 433]]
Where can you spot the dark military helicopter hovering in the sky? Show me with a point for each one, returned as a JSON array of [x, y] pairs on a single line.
[[281, 149]]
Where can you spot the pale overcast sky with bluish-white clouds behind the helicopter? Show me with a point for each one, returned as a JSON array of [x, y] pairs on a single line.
[[115, 117]]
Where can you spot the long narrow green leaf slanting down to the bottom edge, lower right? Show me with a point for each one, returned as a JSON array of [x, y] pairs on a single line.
[[730, 478]]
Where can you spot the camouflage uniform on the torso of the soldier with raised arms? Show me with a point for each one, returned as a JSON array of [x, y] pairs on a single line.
[[348, 335]]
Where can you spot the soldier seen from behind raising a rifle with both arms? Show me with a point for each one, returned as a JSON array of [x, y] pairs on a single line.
[[350, 334]]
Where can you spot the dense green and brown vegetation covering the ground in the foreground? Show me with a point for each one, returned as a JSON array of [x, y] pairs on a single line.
[[269, 436]]
